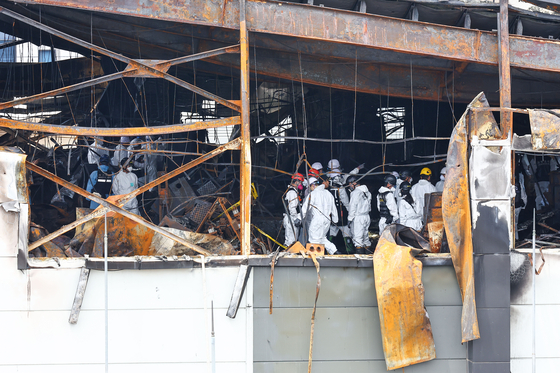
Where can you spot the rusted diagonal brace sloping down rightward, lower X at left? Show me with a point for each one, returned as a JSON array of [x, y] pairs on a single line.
[[114, 207]]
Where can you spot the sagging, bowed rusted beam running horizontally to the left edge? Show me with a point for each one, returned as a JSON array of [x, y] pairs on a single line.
[[129, 131]]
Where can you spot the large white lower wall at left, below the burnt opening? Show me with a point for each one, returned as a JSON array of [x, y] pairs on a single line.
[[157, 321]]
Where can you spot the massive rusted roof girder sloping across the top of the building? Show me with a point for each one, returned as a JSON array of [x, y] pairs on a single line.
[[312, 22]]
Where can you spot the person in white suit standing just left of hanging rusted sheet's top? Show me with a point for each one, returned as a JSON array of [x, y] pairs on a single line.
[[358, 215]]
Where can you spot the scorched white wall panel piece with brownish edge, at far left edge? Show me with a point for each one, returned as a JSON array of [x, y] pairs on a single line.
[[13, 179]]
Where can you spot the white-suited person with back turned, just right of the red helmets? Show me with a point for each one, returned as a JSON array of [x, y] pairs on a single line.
[[319, 210]]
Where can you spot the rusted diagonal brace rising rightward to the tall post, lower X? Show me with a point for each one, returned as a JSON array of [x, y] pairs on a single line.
[[232, 145]]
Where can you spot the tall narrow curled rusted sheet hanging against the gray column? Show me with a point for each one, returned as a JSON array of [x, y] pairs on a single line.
[[457, 221]]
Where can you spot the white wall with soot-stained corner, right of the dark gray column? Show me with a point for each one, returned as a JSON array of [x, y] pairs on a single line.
[[547, 318]]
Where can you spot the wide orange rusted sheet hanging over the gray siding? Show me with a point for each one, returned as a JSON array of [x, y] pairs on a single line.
[[405, 325]]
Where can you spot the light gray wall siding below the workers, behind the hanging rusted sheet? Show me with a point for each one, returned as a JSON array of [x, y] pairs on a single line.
[[347, 331]]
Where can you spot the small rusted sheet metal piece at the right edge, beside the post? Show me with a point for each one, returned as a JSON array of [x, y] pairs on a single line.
[[545, 129]]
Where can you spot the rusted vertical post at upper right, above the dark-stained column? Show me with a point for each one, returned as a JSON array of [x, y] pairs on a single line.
[[505, 77]]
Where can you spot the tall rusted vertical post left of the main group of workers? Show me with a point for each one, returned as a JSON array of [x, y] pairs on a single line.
[[245, 159]]
